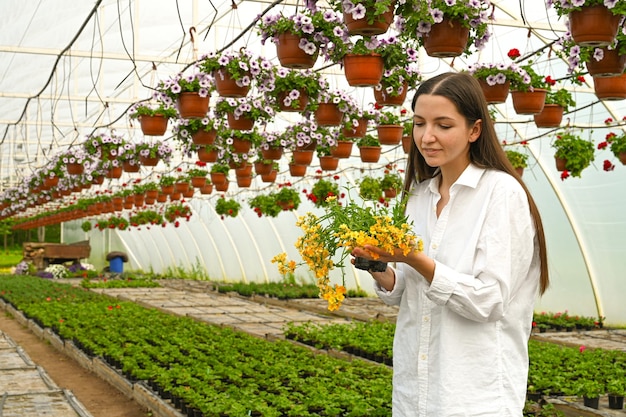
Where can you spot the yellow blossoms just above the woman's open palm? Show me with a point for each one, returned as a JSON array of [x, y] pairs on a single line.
[[383, 234]]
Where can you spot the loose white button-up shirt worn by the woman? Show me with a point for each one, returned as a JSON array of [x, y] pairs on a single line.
[[461, 342]]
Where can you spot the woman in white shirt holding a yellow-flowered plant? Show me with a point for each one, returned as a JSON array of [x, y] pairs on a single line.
[[466, 302]]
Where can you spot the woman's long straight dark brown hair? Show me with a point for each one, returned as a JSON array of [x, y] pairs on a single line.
[[486, 152]]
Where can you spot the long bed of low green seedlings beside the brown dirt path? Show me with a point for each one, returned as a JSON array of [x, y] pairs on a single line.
[[206, 370]]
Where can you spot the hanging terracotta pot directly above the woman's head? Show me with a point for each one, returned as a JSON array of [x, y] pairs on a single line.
[[446, 39]]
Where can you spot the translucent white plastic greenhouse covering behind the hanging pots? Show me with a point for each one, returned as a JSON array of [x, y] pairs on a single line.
[[68, 68]]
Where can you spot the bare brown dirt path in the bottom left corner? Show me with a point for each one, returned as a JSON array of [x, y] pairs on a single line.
[[96, 395]]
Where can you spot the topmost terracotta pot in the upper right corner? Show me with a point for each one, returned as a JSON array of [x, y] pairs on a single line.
[[593, 25]]
